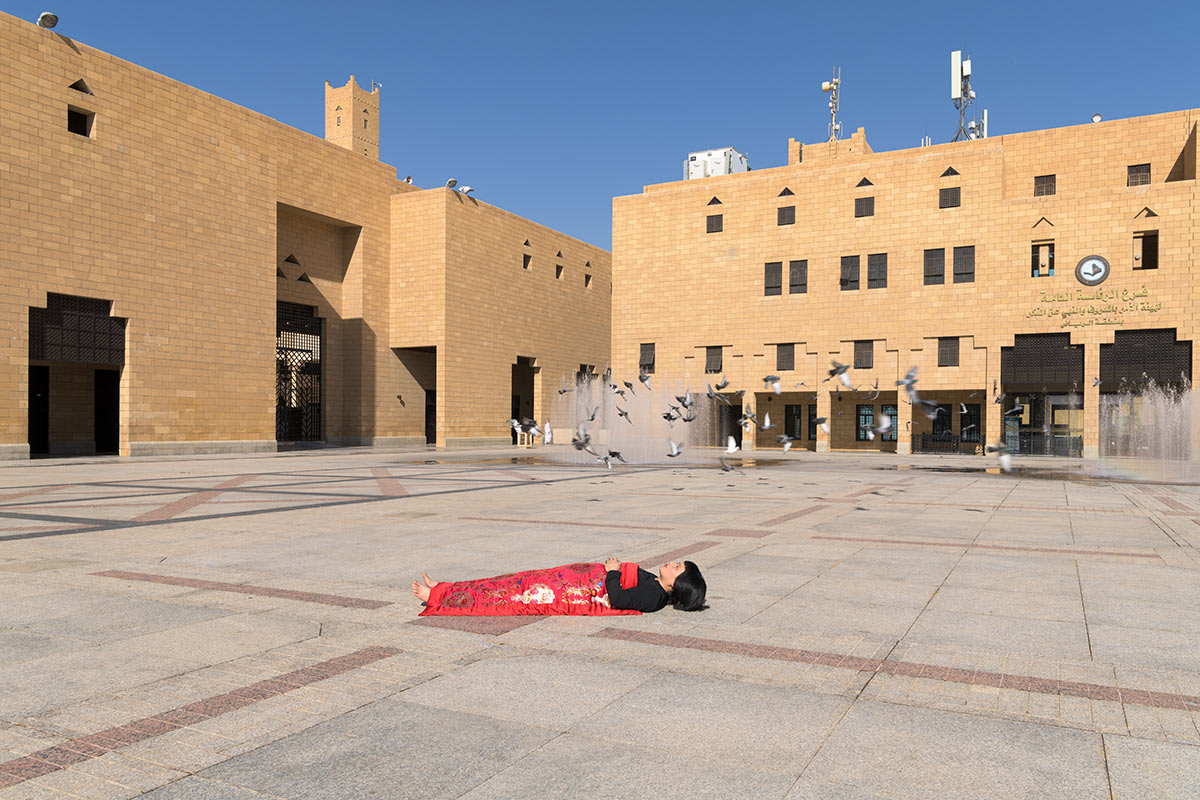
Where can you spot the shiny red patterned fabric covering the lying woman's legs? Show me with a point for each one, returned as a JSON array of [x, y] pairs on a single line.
[[568, 590]]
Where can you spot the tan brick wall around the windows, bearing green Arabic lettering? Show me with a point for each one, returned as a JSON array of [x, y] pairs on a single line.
[[683, 290]]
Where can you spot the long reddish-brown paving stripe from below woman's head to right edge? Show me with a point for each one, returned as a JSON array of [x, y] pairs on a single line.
[[914, 670]]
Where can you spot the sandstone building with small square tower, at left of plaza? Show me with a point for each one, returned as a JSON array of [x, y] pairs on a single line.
[[184, 275]]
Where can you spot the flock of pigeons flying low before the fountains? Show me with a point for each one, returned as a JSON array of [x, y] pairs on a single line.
[[683, 411]]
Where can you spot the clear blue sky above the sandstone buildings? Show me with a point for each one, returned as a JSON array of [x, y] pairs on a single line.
[[553, 109]]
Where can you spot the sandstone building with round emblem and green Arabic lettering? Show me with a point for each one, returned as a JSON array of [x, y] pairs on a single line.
[[975, 262]]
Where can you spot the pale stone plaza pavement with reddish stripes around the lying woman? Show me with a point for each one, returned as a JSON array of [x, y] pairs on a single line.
[[243, 628]]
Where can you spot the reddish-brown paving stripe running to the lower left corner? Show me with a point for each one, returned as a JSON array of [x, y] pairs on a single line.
[[51, 760]]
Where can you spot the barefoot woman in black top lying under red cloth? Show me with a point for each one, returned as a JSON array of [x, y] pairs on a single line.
[[590, 590]]
